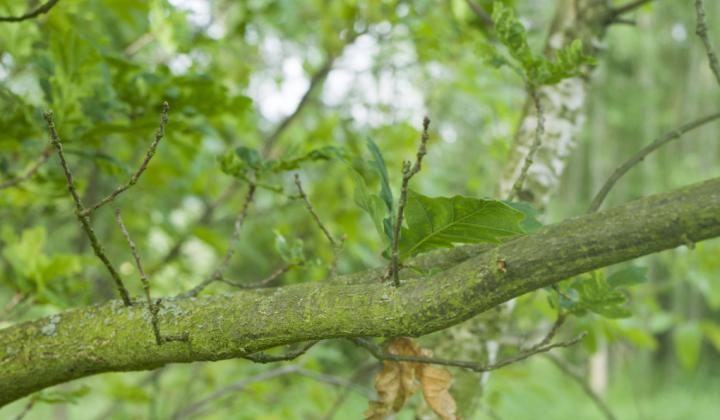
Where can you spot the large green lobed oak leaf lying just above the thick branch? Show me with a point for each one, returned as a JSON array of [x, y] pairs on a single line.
[[441, 222]]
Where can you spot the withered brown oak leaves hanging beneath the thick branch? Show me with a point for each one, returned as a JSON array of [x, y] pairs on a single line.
[[398, 381]]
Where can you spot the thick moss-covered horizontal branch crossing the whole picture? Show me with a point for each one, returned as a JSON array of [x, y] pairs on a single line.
[[112, 337]]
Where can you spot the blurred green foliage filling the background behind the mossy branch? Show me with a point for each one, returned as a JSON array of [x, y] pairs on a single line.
[[232, 71]]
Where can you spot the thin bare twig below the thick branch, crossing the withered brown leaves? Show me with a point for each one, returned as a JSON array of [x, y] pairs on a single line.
[[380, 354]]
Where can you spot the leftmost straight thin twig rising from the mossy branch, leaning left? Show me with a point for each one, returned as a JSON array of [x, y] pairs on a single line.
[[80, 211]]
